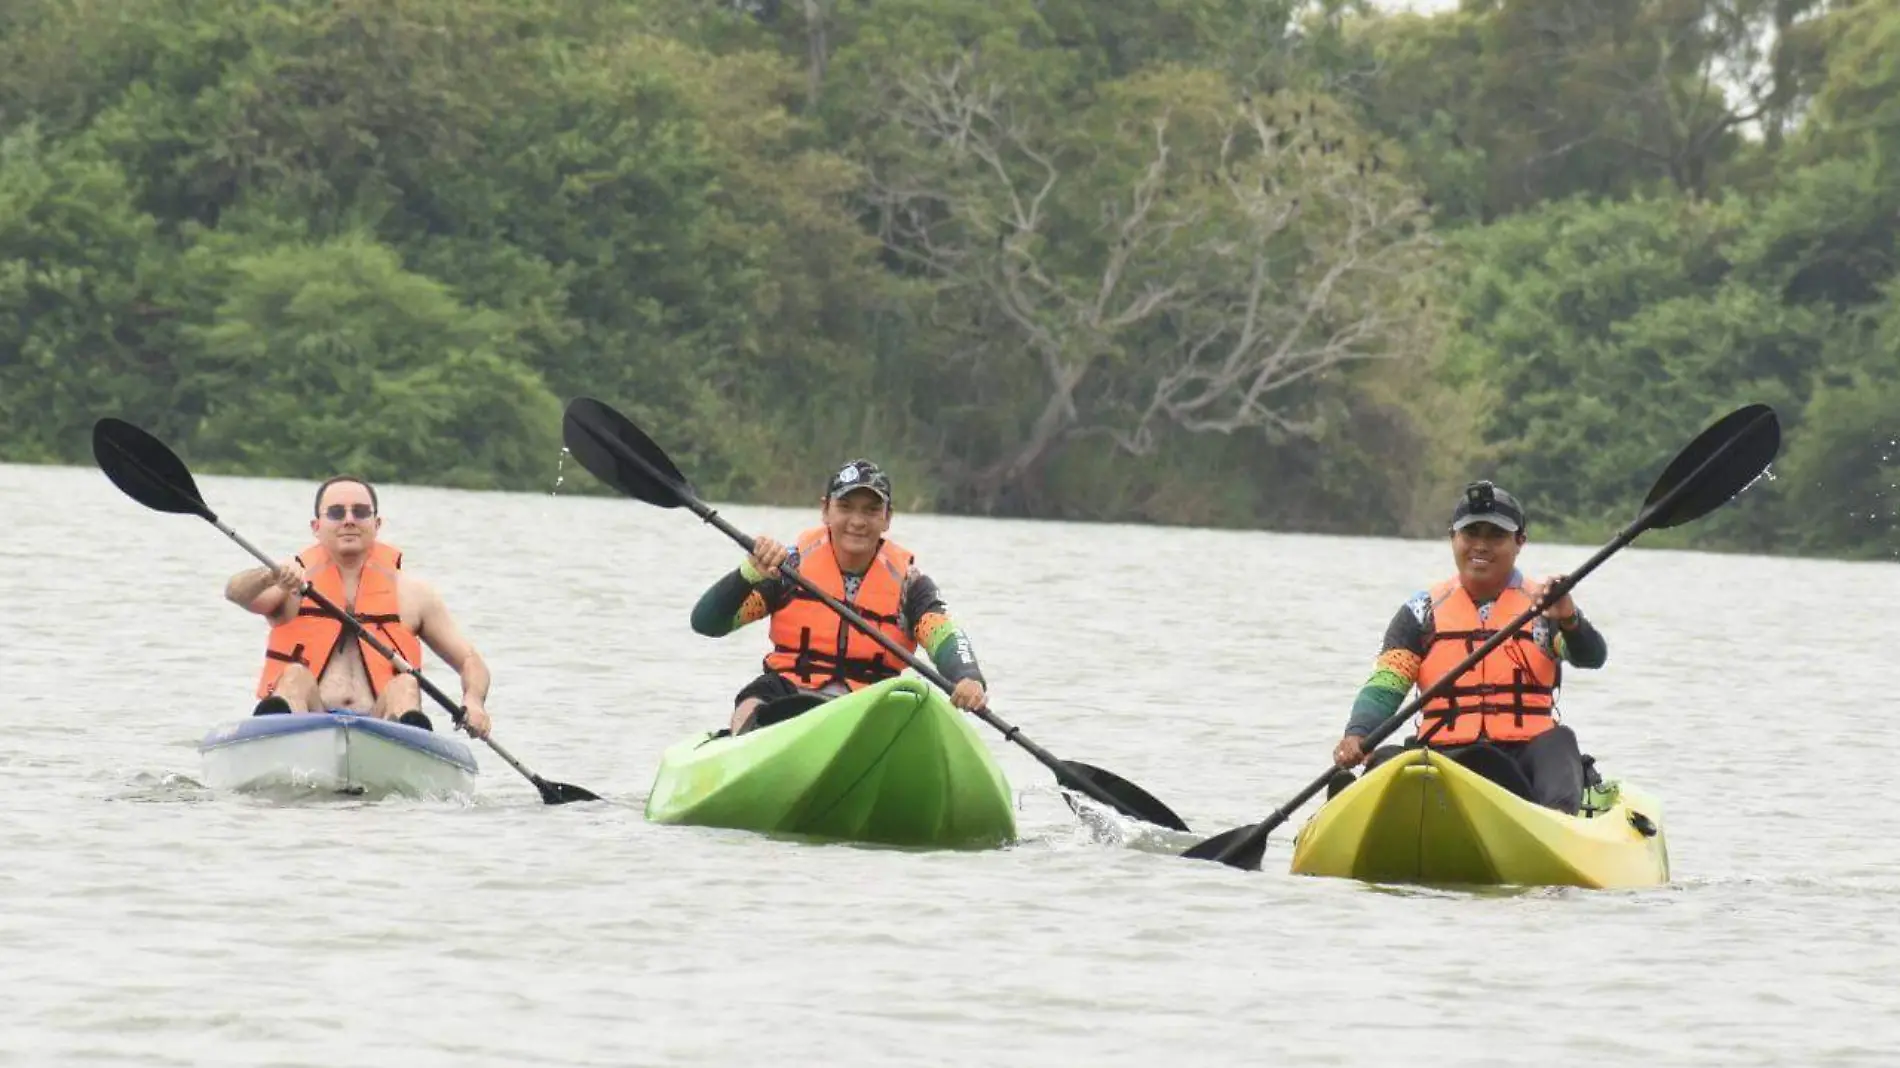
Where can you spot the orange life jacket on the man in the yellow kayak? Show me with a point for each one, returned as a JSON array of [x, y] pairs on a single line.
[[1510, 695]]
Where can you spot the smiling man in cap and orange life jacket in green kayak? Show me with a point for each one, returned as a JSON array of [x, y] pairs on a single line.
[[814, 651]]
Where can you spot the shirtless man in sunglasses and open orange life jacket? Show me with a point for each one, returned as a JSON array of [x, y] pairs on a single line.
[[314, 662]]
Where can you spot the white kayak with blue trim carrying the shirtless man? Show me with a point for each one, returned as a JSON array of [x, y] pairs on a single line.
[[339, 752]]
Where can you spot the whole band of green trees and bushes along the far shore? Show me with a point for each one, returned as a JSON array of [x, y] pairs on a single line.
[[1299, 267]]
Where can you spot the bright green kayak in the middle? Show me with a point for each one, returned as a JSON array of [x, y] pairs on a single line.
[[892, 763]]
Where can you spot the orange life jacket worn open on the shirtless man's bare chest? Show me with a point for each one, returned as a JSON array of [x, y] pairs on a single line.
[[313, 636]]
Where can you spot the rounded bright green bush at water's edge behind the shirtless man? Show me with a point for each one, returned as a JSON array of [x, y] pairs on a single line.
[[332, 358]]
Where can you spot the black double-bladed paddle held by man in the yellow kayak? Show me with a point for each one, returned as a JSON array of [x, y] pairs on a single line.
[[1705, 476]]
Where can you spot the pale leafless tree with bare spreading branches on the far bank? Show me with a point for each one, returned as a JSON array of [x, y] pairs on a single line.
[[1247, 254]]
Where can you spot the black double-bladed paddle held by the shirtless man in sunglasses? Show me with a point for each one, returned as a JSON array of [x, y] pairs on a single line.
[[153, 476]]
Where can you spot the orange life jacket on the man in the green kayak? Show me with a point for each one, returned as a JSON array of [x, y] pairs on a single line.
[[812, 647]]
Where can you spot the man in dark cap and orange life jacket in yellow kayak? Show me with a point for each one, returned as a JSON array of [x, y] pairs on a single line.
[[1508, 700]]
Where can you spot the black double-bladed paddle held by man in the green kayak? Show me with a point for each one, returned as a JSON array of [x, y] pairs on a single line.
[[624, 457]]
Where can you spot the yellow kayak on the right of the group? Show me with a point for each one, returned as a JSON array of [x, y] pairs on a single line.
[[1426, 818]]
